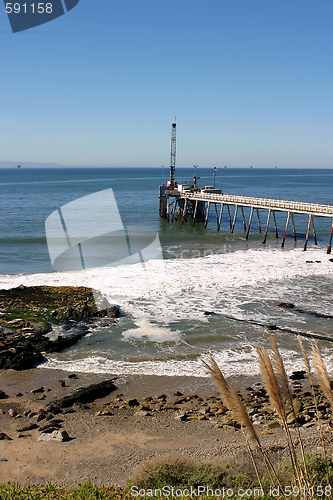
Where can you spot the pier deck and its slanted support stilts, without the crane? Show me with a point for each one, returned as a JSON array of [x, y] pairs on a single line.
[[197, 204]]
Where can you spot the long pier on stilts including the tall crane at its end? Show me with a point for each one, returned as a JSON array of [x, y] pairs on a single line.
[[185, 199]]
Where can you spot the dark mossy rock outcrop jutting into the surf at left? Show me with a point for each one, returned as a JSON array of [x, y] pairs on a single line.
[[28, 314]]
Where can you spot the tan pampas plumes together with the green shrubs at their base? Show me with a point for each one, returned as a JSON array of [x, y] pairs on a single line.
[[303, 471]]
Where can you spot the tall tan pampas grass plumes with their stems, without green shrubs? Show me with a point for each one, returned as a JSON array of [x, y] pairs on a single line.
[[277, 385]]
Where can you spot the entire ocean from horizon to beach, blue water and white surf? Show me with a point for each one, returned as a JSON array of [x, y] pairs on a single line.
[[163, 329]]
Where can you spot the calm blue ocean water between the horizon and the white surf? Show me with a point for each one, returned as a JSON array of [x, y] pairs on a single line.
[[28, 196]]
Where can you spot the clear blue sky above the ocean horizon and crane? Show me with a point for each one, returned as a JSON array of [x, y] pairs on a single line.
[[250, 82]]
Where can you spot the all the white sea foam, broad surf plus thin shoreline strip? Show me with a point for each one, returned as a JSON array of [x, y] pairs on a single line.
[[176, 290]]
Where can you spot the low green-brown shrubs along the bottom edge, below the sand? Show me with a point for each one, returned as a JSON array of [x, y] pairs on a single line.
[[181, 475]]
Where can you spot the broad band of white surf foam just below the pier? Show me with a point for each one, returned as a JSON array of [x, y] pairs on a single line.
[[176, 289]]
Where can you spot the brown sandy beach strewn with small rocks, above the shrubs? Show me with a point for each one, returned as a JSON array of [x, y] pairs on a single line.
[[111, 440]]
